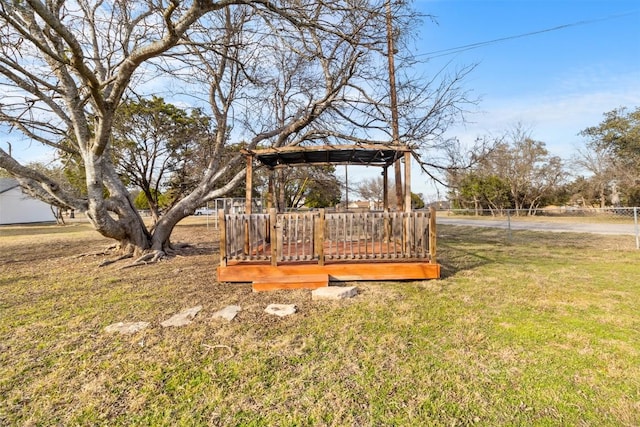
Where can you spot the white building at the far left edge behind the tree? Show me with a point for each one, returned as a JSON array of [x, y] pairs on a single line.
[[16, 207]]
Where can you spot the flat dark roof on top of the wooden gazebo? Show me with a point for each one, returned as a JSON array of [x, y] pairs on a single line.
[[362, 154]]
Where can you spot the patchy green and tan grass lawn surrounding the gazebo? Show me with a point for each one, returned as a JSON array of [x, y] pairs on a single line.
[[544, 330]]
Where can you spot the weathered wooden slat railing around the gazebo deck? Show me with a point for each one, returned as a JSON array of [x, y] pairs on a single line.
[[318, 237]]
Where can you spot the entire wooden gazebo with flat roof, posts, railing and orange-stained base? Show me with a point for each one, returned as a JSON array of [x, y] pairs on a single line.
[[277, 250]]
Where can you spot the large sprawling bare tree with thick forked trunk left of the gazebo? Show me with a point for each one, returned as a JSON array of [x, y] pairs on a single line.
[[276, 74]]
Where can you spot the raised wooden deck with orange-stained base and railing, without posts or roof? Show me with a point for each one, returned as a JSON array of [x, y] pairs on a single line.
[[307, 250]]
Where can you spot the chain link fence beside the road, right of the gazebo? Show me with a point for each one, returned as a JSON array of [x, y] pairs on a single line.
[[611, 221]]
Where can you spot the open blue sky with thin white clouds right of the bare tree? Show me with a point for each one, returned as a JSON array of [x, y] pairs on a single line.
[[555, 83]]
